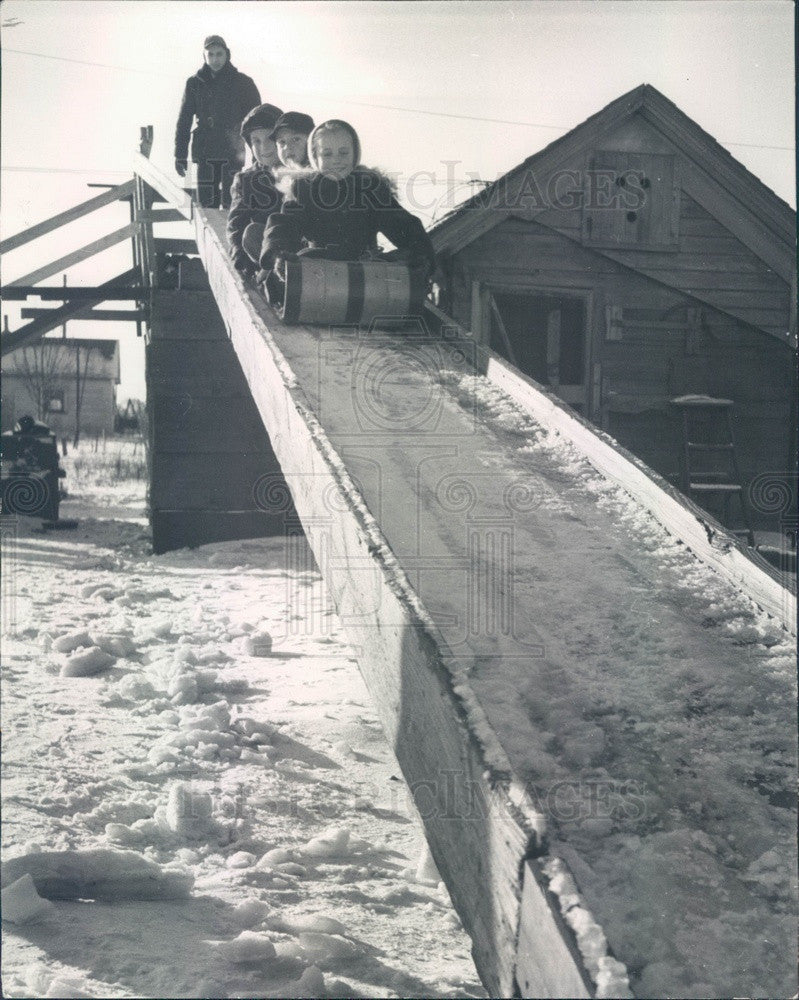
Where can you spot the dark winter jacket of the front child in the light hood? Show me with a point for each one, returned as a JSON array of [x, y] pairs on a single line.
[[344, 217]]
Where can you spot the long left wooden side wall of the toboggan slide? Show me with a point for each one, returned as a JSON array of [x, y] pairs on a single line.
[[481, 824]]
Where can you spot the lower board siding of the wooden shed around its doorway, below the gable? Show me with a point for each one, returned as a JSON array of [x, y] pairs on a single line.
[[653, 359]]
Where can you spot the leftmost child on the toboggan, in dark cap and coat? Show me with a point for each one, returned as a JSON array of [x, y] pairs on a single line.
[[254, 195]]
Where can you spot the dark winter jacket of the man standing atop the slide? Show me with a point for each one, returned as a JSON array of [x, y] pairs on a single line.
[[219, 103]]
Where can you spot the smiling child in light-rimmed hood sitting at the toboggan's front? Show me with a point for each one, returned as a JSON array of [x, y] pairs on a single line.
[[336, 209]]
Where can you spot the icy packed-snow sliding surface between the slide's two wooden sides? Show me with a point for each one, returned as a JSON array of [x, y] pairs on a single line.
[[647, 707]]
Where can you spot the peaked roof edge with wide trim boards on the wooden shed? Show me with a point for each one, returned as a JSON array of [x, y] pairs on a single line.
[[743, 204]]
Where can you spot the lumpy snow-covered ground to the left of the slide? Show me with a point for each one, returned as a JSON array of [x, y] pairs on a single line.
[[193, 773]]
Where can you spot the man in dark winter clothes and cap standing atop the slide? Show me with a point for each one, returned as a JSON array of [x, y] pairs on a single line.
[[218, 97]]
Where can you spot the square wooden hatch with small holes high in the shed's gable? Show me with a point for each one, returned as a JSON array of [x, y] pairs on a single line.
[[631, 202]]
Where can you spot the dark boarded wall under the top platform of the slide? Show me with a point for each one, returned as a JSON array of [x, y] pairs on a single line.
[[209, 449]]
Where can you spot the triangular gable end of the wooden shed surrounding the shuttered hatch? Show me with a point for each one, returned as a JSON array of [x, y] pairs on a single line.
[[728, 220]]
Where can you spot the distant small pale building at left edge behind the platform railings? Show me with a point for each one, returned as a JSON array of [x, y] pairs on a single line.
[[62, 382]]
